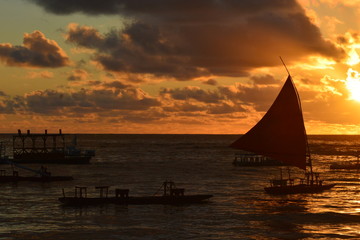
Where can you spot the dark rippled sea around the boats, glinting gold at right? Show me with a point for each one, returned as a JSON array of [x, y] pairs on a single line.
[[202, 164]]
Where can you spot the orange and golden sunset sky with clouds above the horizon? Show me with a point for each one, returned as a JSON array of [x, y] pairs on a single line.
[[176, 66]]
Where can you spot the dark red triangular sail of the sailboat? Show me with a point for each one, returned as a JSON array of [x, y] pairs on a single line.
[[280, 134]]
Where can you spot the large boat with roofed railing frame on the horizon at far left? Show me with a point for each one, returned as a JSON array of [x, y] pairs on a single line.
[[48, 148]]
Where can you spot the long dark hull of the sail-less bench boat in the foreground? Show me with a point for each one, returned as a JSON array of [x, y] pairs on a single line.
[[165, 200]]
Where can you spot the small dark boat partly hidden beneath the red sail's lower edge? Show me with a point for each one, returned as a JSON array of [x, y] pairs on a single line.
[[254, 160]]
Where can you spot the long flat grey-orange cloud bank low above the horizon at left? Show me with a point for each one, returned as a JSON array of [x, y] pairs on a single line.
[[52, 102]]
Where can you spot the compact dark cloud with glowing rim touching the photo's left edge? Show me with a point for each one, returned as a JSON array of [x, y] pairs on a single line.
[[36, 51]]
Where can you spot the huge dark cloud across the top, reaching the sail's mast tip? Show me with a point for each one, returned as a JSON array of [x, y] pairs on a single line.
[[187, 39]]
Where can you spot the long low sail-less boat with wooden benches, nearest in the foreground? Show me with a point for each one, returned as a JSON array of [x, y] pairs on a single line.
[[171, 196]]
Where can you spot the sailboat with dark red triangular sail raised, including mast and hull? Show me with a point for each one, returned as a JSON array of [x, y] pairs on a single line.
[[281, 135]]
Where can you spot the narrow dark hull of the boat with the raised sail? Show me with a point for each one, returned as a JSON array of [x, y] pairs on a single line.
[[301, 188]]
